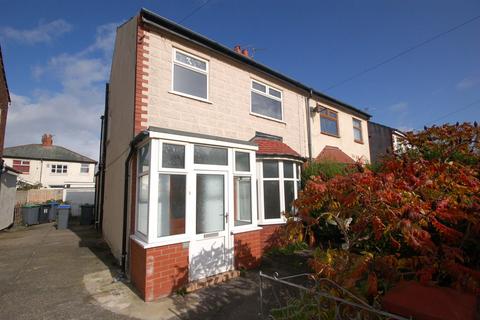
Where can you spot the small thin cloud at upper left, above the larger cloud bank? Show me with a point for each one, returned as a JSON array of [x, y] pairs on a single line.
[[42, 33]]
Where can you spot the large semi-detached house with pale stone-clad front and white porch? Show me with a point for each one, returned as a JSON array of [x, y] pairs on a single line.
[[202, 151]]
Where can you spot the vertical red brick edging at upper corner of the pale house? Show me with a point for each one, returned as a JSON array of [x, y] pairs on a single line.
[[141, 91]]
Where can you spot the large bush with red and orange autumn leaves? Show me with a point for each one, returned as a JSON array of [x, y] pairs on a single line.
[[417, 217]]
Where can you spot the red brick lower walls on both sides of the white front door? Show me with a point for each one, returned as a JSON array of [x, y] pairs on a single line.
[[158, 272]]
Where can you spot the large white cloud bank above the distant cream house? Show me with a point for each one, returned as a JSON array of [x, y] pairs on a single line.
[[71, 114]]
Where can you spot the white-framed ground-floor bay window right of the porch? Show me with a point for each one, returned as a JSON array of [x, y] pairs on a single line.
[[279, 183]]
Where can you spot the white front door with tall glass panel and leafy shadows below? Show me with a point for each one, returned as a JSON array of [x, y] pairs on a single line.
[[211, 249]]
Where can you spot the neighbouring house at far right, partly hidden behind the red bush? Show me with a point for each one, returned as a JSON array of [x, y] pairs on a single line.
[[383, 140]]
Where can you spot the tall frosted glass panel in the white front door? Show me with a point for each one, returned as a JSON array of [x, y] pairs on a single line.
[[210, 203]]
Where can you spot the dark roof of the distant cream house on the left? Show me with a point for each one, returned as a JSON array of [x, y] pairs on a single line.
[[40, 152]]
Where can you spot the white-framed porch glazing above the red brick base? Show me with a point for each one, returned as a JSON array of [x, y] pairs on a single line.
[[183, 171]]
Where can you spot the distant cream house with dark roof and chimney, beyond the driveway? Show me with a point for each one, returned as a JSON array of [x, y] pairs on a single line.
[[50, 166]]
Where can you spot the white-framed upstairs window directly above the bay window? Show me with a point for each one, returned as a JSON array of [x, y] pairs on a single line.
[[266, 101]]
